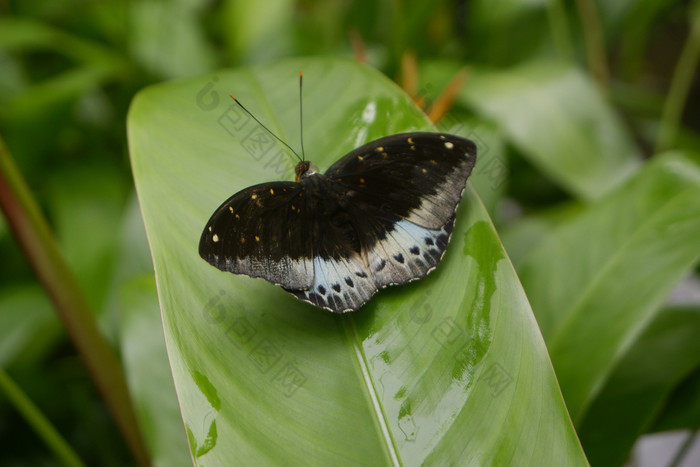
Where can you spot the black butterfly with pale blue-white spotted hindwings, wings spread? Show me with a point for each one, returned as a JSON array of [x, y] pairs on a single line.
[[381, 215]]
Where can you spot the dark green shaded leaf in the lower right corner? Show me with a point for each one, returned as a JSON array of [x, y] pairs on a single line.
[[634, 395]]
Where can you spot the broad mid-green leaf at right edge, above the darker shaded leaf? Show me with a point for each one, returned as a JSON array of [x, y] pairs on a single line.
[[599, 278]]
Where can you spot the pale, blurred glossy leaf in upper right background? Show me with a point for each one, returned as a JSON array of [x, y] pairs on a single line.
[[576, 139]]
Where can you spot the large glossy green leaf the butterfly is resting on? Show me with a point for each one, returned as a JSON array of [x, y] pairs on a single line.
[[448, 370]]
